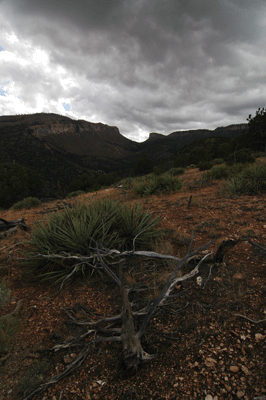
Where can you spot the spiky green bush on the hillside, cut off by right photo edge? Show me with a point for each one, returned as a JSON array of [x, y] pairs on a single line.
[[251, 180]]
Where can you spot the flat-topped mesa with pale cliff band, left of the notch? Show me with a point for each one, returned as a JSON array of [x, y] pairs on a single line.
[[72, 136]]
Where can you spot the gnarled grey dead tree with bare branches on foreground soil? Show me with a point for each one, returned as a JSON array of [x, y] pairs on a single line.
[[105, 328]]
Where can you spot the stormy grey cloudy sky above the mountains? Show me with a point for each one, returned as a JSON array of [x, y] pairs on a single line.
[[141, 65]]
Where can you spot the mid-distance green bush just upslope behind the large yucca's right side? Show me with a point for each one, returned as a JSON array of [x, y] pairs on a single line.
[[152, 184]]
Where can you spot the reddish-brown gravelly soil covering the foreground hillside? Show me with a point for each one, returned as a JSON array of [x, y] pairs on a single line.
[[204, 351]]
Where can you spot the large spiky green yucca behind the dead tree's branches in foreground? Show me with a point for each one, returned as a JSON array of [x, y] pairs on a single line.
[[76, 231]]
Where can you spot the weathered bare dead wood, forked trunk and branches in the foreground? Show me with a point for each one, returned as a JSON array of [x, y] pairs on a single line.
[[133, 353]]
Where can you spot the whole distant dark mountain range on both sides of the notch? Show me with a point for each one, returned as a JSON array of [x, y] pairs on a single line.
[[61, 148]]
